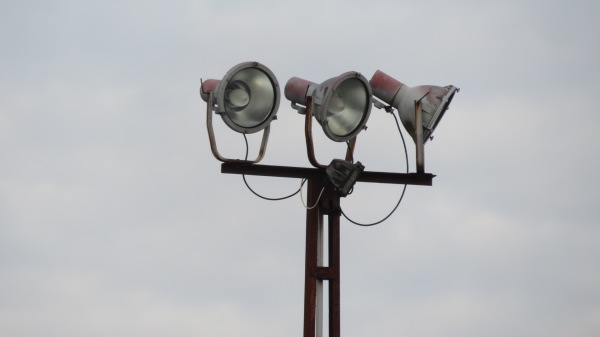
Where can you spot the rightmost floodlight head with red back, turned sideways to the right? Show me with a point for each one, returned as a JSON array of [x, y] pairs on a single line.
[[434, 101]]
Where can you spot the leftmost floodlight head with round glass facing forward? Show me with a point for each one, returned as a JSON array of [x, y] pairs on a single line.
[[247, 98]]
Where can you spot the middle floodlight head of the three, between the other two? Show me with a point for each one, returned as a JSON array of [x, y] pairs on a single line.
[[341, 104]]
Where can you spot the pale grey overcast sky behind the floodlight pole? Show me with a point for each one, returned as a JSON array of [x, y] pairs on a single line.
[[116, 221]]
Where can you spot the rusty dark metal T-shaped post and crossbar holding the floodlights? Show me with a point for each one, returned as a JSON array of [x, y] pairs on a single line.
[[316, 271]]
